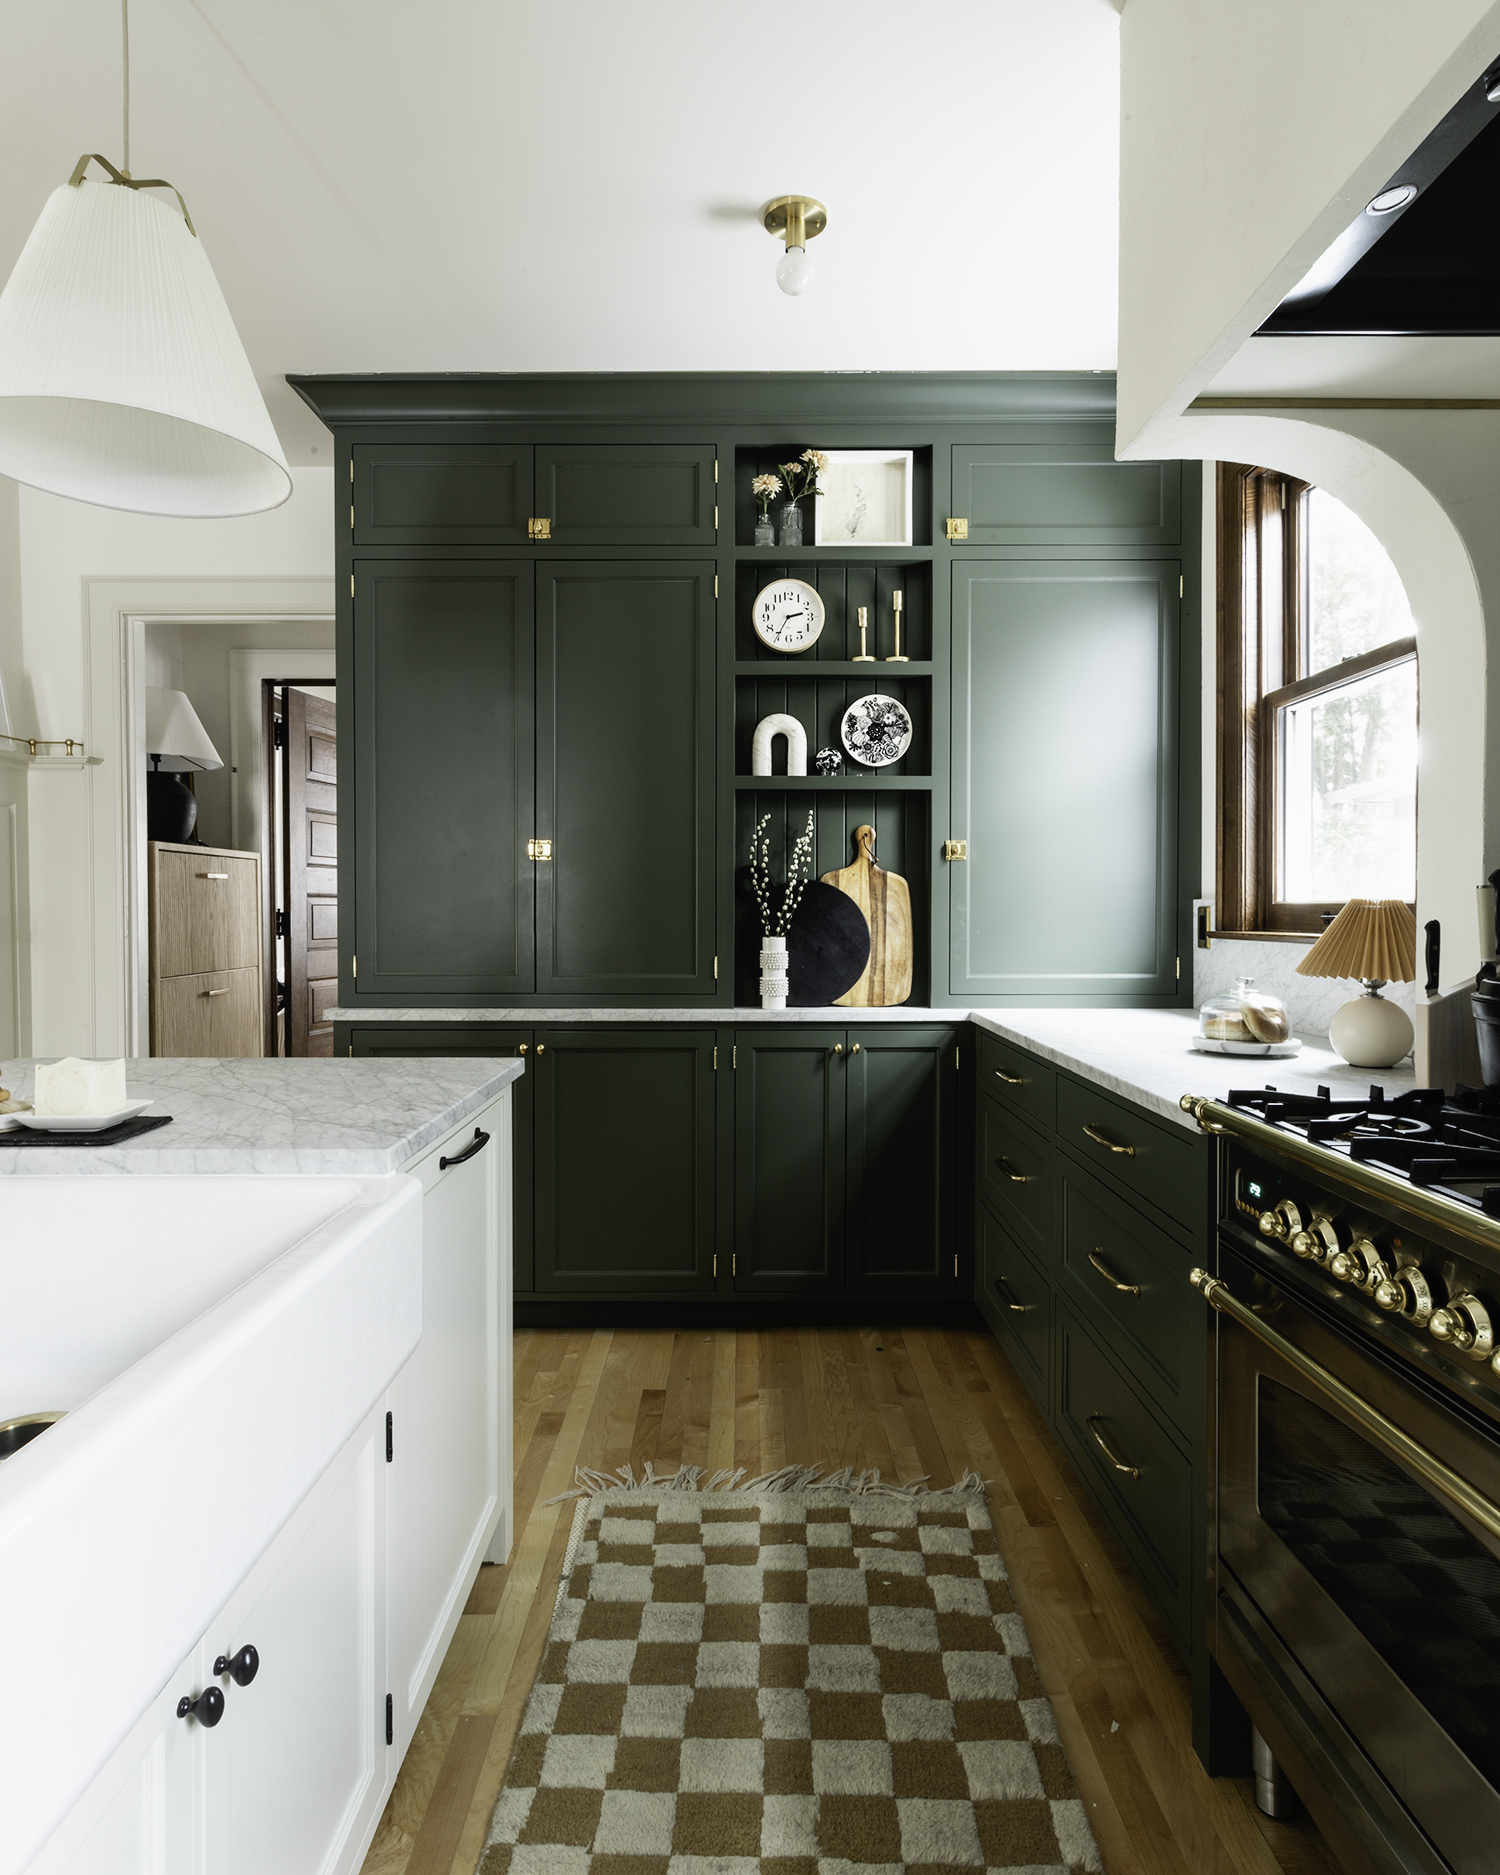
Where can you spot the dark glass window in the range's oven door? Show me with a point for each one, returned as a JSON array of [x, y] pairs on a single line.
[[1418, 1587]]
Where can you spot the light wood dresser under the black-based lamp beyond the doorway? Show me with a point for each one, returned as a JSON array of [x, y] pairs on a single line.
[[205, 952]]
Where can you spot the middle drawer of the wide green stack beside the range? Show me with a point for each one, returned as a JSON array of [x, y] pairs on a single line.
[[1130, 1280]]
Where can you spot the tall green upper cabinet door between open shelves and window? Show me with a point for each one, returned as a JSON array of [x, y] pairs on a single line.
[[1064, 779]]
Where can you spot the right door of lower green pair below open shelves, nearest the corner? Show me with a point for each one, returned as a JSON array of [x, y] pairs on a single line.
[[903, 1130]]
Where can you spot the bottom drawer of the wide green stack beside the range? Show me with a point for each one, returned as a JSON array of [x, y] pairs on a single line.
[[1132, 1467]]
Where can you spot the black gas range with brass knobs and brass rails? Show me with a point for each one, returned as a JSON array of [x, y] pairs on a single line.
[[1357, 1516]]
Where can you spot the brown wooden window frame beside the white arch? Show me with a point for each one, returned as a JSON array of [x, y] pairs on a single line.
[[1263, 599]]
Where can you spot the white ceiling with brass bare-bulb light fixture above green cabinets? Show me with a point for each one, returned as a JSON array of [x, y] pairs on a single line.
[[573, 187]]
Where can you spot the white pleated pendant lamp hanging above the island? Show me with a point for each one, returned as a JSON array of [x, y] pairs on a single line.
[[123, 380]]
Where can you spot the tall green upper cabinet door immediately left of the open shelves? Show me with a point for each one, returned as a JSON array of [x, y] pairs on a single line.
[[625, 781]]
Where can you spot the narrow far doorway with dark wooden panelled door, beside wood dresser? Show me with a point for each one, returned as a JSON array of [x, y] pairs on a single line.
[[303, 938]]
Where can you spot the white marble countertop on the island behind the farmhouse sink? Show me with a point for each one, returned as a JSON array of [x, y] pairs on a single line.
[[277, 1117]]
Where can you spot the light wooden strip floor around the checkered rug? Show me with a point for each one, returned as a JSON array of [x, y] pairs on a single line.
[[920, 1402]]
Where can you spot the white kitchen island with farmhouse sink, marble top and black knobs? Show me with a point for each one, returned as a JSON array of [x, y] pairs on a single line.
[[280, 1332]]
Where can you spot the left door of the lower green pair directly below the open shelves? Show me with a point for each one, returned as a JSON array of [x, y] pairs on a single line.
[[790, 1160]]
